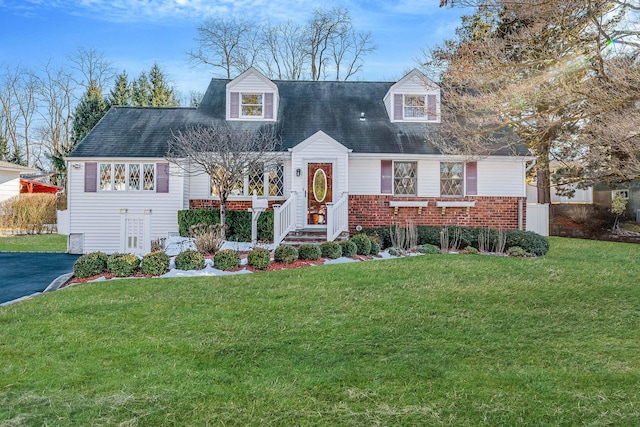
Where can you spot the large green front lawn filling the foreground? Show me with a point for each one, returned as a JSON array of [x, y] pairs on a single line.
[[433, 340]]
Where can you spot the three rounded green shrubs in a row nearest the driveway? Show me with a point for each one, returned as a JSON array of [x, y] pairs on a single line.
[[120, 265]]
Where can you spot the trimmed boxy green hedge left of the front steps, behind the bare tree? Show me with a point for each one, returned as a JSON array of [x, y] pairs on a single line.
[[238, 223]]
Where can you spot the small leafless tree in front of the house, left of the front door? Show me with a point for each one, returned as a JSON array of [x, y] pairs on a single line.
[[223, 153]]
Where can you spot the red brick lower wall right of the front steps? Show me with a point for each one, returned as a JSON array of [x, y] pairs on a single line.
[[492, 212]]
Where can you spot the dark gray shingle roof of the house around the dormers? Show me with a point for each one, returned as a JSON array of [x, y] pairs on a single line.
[[304, 108]]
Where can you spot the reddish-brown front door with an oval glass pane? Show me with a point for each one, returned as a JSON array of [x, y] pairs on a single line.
[[319, 192]]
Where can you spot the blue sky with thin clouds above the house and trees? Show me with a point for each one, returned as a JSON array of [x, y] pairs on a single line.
[[134, 34]]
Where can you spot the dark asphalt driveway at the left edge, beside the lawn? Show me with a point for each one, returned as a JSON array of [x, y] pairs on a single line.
[[23, 273]]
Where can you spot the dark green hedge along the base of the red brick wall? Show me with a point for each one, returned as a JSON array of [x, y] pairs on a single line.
[[529, 241]]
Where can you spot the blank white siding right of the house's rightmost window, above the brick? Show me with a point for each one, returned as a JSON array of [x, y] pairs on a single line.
[[501, 178]]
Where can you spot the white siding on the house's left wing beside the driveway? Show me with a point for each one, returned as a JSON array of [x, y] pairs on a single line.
[[98, 215]]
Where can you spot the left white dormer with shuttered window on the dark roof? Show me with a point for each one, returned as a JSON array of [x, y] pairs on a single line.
[[252, 96]]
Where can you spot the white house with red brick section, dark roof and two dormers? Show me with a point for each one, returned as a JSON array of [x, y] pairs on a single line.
[[353, 154]]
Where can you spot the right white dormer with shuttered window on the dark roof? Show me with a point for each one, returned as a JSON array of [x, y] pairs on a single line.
[[414, 98]]
